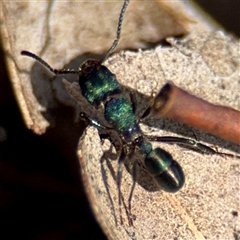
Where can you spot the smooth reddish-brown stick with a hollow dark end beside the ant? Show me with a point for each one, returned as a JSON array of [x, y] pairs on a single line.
[[177, 104]]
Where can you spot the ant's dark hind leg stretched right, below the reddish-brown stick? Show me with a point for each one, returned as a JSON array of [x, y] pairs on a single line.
[[188, 142]]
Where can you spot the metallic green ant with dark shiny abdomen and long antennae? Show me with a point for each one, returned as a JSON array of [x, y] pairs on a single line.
[[101, 89]]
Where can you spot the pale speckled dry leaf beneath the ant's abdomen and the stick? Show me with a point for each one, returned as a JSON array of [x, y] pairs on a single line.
[[204, 208]]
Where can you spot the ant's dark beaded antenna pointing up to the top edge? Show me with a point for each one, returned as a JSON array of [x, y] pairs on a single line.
[[115, 42]]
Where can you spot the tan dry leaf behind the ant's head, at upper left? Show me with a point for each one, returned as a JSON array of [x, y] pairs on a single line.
[[60, 32]]
